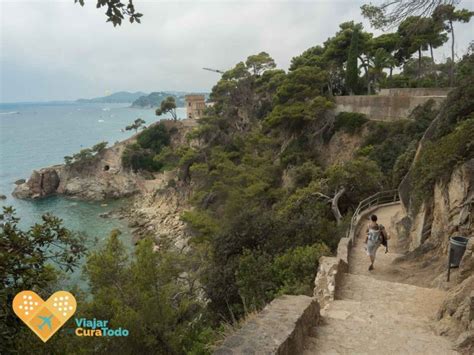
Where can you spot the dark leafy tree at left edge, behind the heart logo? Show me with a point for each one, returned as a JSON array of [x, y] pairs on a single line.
[[29, 260]]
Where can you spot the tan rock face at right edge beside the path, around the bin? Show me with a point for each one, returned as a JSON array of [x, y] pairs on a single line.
[[426, 231]]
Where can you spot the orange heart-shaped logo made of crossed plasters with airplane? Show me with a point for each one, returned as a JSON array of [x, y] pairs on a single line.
[[44, 318]]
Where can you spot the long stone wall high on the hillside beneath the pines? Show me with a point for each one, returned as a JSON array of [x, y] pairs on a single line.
[[383, 107]]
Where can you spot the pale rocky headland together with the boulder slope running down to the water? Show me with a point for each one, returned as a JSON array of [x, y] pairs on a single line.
[[155, 207]]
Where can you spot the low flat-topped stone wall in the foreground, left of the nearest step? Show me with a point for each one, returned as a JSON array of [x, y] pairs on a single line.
[[280, 328]]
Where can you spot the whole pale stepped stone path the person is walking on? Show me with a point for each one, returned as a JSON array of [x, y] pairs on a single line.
[[372, 315]]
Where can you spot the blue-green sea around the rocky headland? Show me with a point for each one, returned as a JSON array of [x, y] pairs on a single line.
[[37, 135]]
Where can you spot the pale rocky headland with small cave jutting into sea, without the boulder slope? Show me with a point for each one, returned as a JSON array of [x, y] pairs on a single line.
[[99, 178]]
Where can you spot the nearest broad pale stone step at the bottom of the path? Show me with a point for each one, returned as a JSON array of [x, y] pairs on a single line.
[[350, 327]]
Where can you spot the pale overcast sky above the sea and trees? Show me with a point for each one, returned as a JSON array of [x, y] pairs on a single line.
[[57, 50]]
